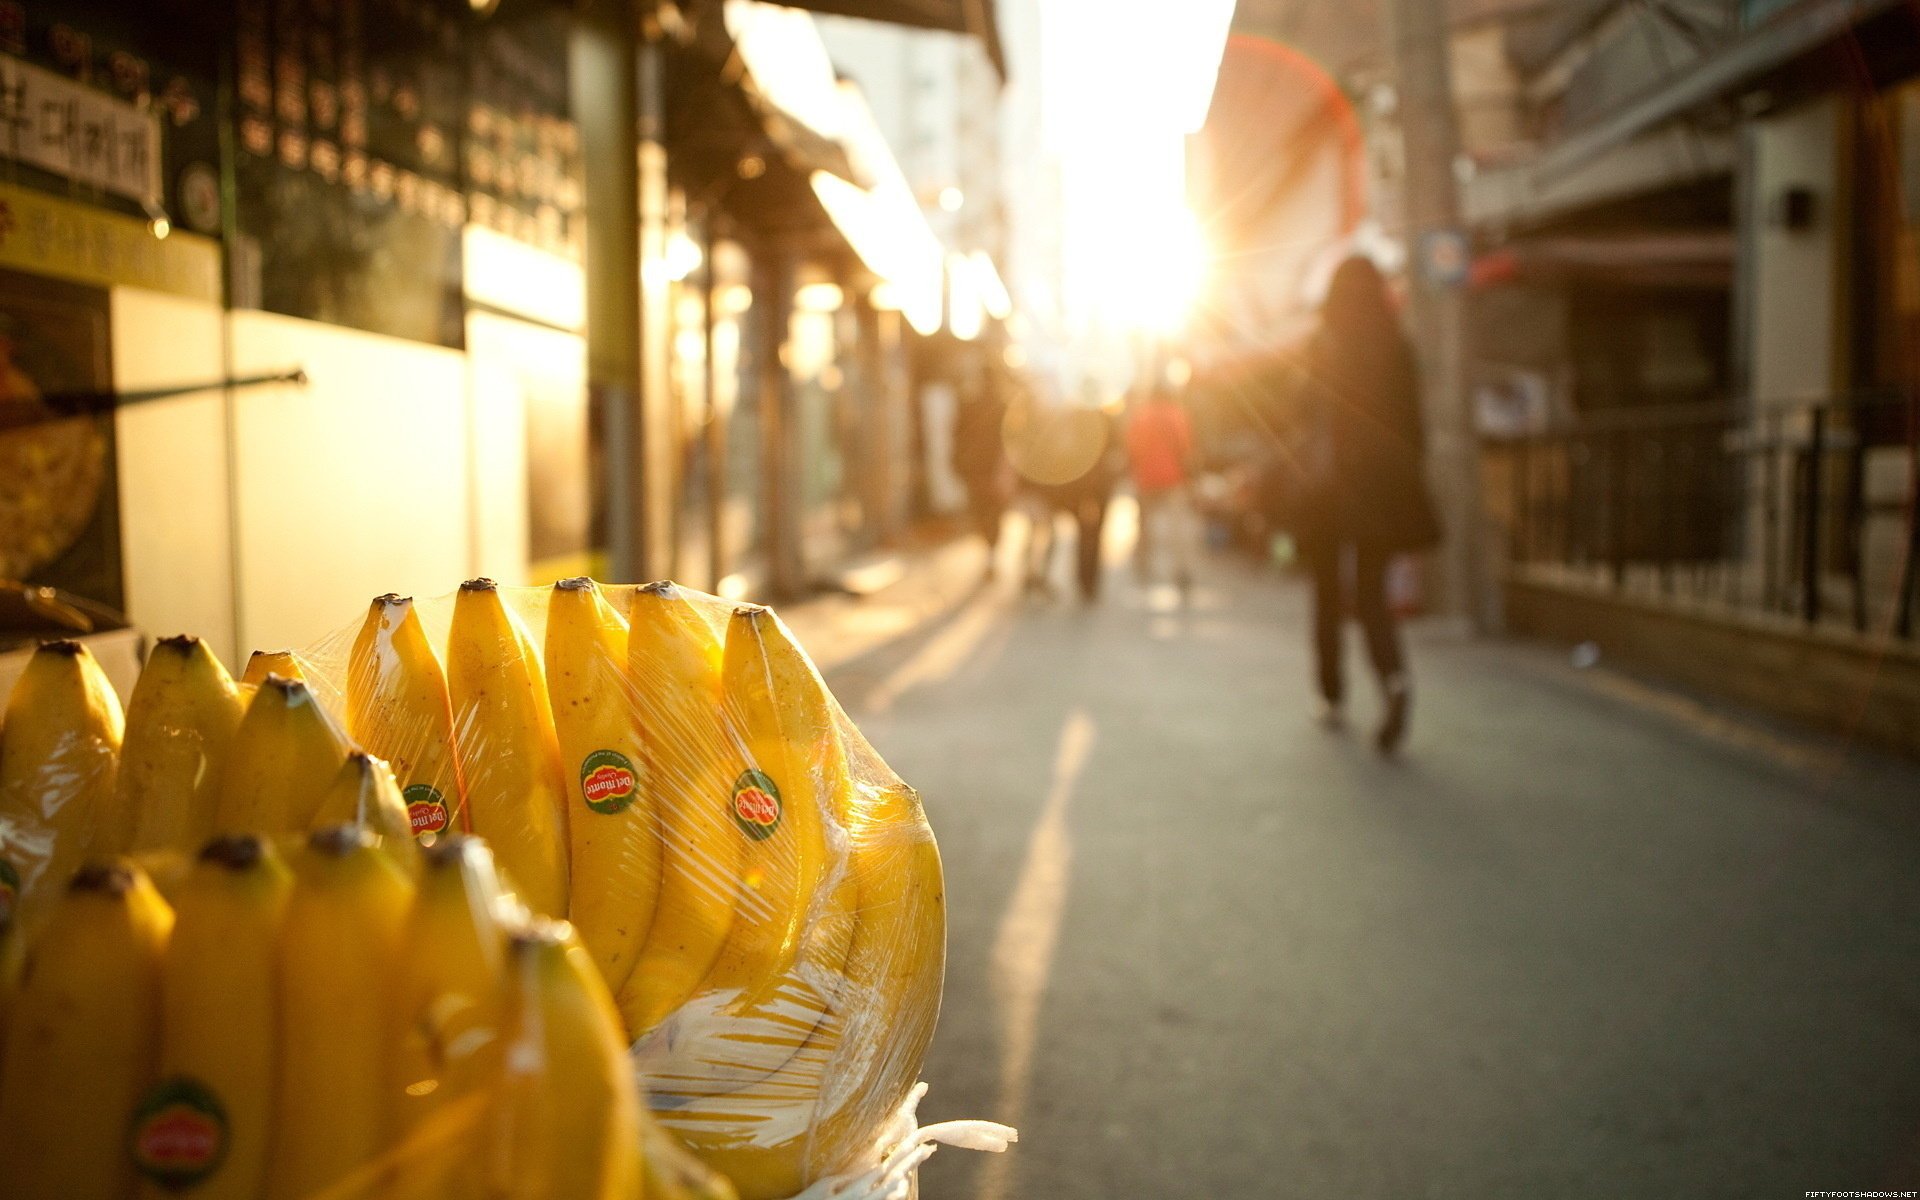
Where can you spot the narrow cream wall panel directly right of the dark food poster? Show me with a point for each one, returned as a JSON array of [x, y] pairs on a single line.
[[176, 516]]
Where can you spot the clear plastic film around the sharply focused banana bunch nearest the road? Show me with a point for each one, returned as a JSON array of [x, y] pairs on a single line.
[[759, 892]]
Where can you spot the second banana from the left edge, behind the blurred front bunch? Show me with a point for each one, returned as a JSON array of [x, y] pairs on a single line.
[[180, 723]]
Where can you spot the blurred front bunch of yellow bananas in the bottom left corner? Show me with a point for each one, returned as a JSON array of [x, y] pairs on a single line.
[[320, 1022]]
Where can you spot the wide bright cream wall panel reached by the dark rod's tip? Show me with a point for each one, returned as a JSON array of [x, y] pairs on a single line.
[[350, 487]]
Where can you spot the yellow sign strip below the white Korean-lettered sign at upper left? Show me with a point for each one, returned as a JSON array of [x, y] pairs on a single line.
[[70, 241]]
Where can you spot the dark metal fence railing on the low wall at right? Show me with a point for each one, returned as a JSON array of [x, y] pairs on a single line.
[[1802, 510]]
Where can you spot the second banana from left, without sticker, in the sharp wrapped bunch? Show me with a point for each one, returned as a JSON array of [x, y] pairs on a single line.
[[508, 748]]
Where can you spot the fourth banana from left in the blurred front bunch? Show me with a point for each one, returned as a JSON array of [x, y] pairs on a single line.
[[452, 988]]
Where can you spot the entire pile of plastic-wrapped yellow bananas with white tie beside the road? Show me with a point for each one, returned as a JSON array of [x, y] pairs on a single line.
[[579, 892]]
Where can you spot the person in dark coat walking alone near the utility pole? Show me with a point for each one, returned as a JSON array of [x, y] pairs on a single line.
[[1364, 489]]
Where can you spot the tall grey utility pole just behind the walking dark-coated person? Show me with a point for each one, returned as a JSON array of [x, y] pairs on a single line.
[[1422, 49]]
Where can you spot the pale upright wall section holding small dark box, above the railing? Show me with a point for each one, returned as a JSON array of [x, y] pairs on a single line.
[[1792, 274]]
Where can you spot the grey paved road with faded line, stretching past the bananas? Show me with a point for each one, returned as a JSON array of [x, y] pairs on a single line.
[[1585, 940]]
